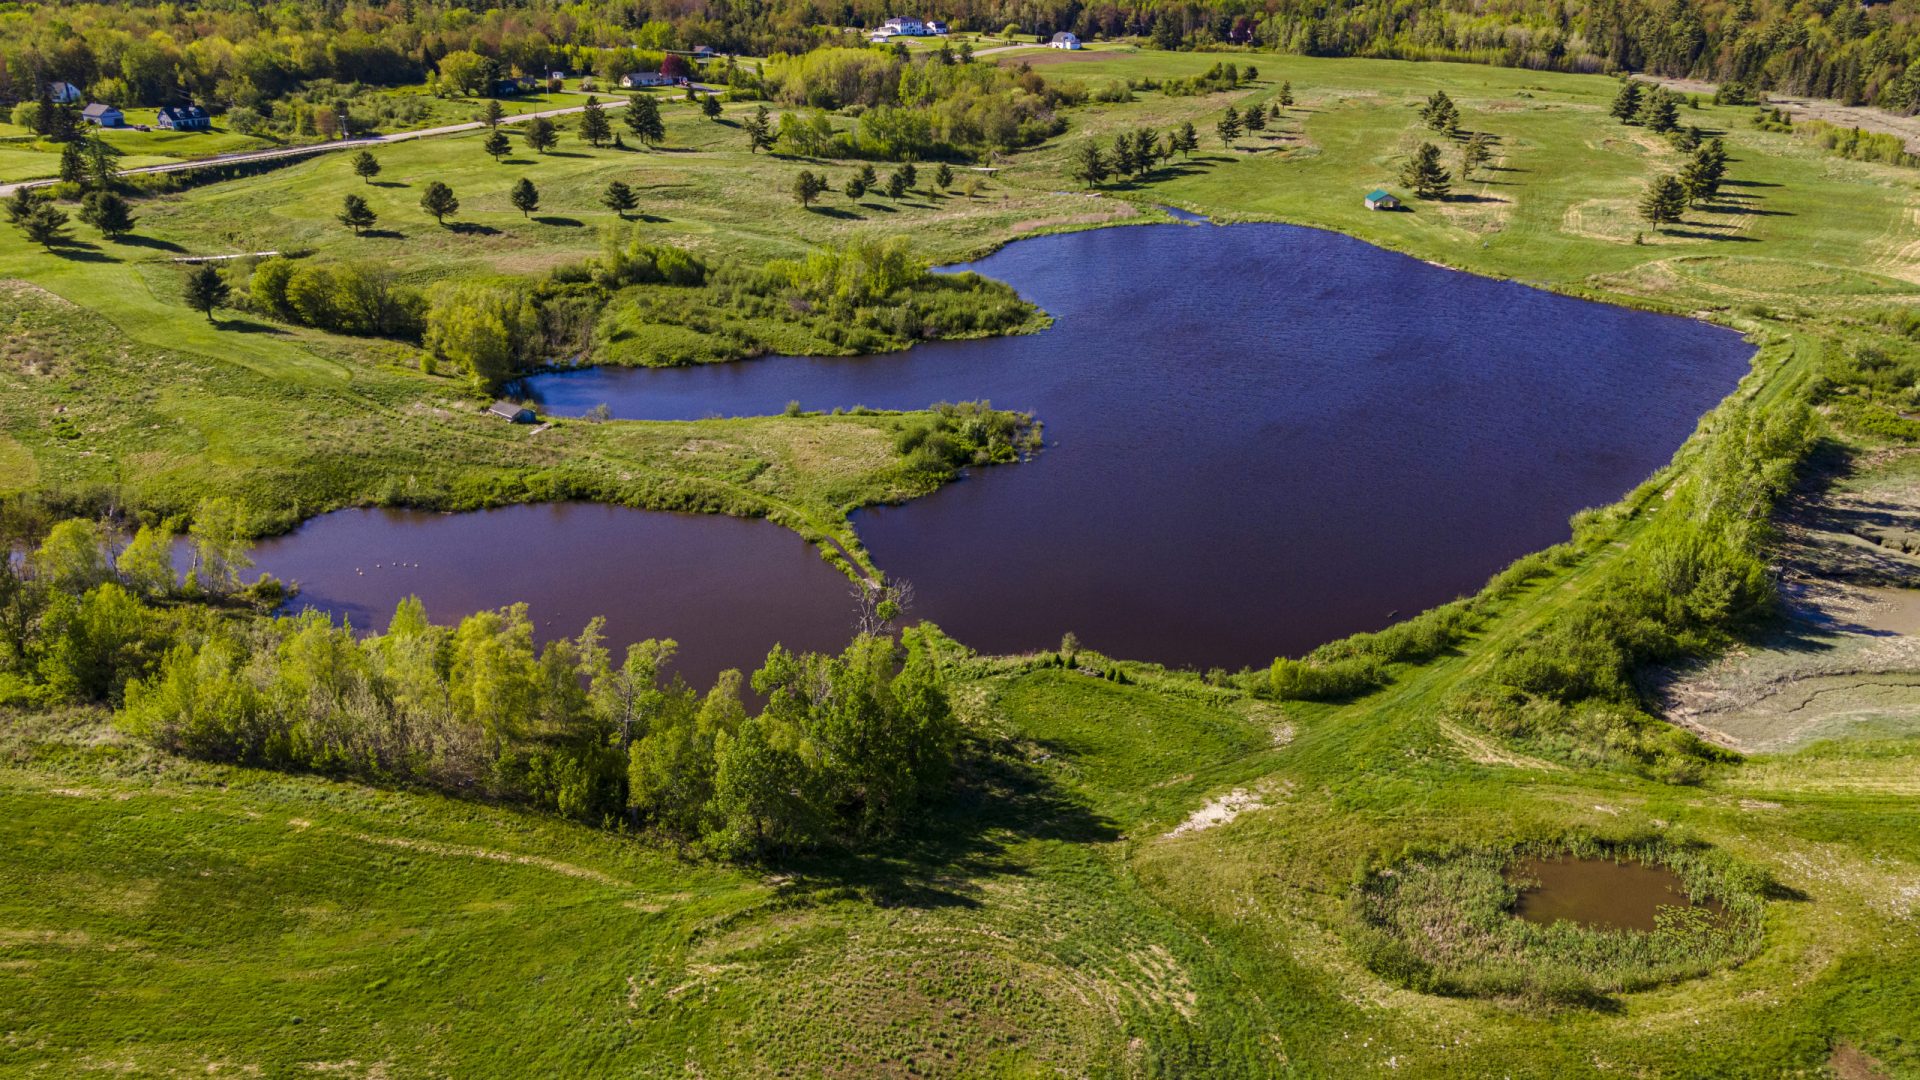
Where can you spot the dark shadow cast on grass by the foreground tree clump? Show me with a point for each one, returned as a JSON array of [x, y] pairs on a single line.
[[999, 802]]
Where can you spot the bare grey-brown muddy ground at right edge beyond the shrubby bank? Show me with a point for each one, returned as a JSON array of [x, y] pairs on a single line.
[[1846, 658]]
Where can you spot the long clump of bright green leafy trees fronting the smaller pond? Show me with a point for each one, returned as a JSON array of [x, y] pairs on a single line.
[[848, 747]]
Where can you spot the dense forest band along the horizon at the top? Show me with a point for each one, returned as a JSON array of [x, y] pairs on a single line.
[[239, 55]]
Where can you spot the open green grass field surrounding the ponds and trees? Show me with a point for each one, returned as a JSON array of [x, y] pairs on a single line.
[[1134, 881]]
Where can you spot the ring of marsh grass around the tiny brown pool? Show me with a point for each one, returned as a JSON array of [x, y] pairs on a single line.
[[1447, 925]]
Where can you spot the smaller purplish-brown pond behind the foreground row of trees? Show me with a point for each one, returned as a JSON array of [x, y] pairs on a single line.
[[723, 587]]
